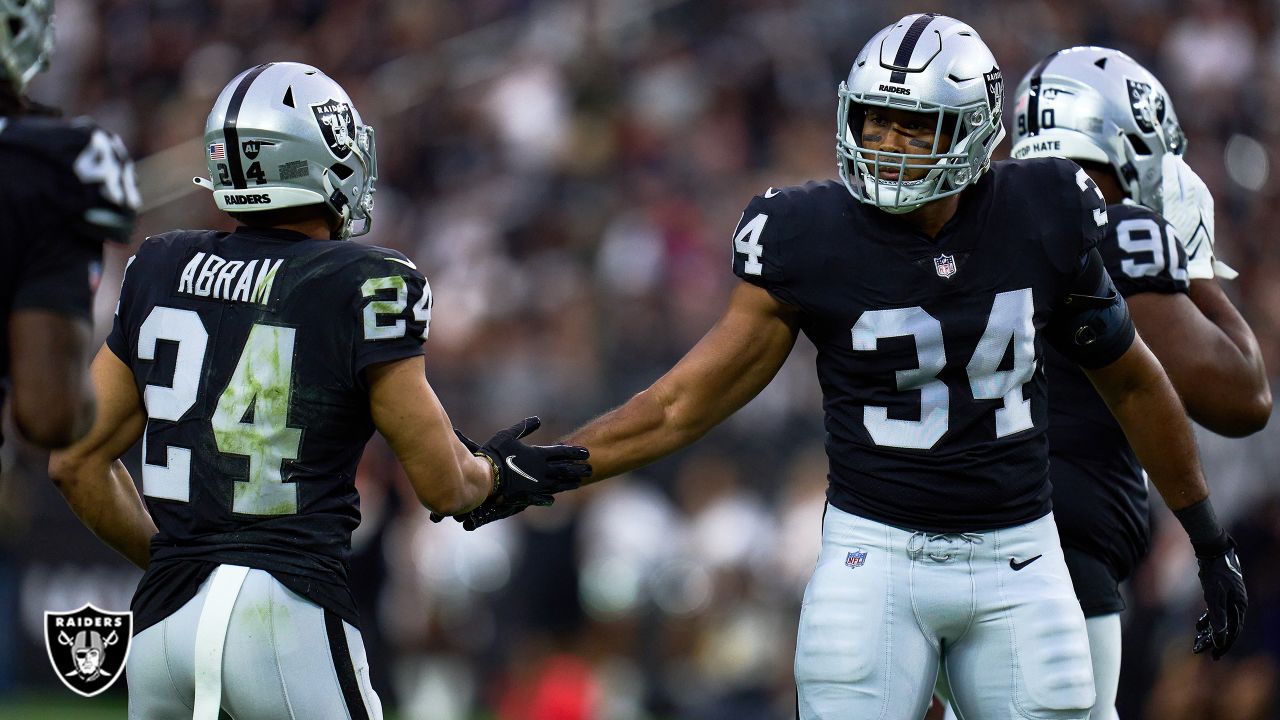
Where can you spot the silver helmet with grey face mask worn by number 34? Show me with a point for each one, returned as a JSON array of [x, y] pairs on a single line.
[[925, 63]]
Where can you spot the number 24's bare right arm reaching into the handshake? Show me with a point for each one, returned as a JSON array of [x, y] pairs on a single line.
[[446, 476]]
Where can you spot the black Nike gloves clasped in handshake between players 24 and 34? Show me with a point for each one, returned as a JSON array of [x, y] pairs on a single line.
[[528, 475]]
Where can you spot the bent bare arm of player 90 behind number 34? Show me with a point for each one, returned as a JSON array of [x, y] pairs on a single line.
[[1210, 354]]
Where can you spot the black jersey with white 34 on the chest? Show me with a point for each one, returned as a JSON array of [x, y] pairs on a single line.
[[930, 350]]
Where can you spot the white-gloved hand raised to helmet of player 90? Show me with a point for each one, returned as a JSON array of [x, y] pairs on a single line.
[[1188, 206]]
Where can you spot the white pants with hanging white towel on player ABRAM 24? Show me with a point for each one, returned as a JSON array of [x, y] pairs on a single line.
[[254, 649]]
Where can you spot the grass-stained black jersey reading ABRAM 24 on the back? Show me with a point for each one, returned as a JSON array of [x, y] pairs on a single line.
[[249, 350]]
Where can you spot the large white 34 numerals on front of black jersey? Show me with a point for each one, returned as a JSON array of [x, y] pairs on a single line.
[[1011, 325]]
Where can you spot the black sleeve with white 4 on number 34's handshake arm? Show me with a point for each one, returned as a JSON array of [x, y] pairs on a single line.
[[765, 239]]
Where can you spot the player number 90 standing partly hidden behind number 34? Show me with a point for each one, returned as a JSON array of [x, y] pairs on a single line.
[[1116, 120]]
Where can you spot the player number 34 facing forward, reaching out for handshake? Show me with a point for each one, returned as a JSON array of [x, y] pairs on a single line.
[[931, 282]]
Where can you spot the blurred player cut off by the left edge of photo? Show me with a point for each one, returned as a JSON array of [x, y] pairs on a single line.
[[68, 185]]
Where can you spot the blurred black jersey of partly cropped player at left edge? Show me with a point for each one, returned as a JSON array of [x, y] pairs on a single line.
[[67, 186]]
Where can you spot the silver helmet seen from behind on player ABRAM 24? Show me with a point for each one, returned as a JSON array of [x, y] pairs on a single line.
[[284, 135]]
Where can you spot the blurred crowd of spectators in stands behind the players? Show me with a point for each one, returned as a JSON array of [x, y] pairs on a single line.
[[568, 175]]
